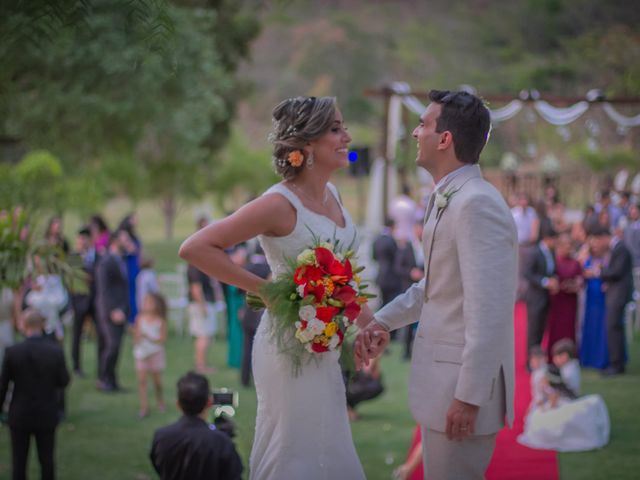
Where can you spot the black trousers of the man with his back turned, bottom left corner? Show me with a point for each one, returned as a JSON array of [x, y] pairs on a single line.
[[20, 440]]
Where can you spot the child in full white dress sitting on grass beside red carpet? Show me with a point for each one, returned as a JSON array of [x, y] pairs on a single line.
[[564, 421]]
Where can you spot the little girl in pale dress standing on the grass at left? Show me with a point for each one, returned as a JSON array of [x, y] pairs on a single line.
[[150, 334]]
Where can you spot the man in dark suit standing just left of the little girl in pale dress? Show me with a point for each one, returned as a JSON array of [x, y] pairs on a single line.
[[112, 308]]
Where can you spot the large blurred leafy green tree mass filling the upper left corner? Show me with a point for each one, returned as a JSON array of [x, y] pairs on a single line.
[[138, 93]]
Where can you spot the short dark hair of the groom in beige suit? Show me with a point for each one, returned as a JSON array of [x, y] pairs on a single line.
[[467, 118]]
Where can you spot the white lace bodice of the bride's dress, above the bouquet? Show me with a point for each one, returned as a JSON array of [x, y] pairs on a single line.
[[308, 225]]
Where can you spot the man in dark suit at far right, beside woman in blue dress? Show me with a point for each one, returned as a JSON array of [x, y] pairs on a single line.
[[617, 276]]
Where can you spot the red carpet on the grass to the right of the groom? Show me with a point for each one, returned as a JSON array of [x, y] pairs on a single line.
[[511, 460]]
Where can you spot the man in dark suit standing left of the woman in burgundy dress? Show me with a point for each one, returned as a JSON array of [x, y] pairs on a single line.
[[539, 269]]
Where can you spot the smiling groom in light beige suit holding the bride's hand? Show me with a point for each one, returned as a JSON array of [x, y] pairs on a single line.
[[462, 372]]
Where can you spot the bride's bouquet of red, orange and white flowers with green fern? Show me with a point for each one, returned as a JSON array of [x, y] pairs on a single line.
[[315, 301]]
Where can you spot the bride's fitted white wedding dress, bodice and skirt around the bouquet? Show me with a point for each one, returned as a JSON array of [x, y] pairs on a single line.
[[302, 427]]
